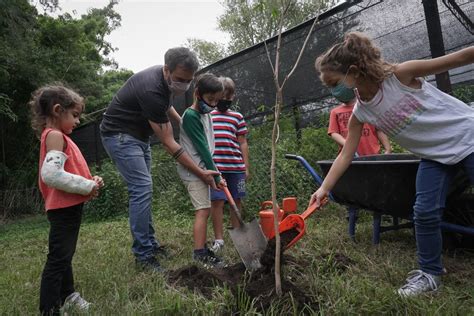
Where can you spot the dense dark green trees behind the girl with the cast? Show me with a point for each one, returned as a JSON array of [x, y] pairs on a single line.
[[39, 48]]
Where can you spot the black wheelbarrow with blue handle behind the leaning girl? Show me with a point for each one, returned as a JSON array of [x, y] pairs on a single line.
[[385, 184]]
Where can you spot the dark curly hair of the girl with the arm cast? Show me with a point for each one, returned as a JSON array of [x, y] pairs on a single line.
[[43, 100]]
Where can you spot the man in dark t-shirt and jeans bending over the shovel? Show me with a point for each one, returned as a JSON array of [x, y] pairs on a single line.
[[140, 109]]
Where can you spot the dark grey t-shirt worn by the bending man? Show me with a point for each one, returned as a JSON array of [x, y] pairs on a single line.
[[145, 96]]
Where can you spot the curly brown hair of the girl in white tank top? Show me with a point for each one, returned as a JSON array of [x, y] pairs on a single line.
[[356, 49]]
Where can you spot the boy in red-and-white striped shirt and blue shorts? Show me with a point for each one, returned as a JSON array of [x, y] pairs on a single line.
[[231, 156]]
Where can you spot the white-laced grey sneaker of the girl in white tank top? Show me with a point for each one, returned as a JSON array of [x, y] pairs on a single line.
[[419, 282]]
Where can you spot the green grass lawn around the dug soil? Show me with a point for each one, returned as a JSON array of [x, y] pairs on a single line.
[[105, 272]]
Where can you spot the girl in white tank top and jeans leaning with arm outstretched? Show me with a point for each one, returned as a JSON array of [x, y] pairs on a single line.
[[428, 122]]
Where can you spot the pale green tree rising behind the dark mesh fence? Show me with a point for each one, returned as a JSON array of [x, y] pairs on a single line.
[[251, 22]]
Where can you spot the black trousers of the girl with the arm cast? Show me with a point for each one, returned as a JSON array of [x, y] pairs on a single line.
[[57, 281]]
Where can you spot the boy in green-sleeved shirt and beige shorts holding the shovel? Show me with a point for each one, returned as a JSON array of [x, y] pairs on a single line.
[[197, 139]]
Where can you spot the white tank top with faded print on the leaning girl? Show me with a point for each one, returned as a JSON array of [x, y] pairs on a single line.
[[425, 121]]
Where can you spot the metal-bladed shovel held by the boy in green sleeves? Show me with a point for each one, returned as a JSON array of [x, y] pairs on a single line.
[[248, 239]]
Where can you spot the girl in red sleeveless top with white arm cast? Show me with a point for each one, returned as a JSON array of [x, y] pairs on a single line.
[[65, 183]]
